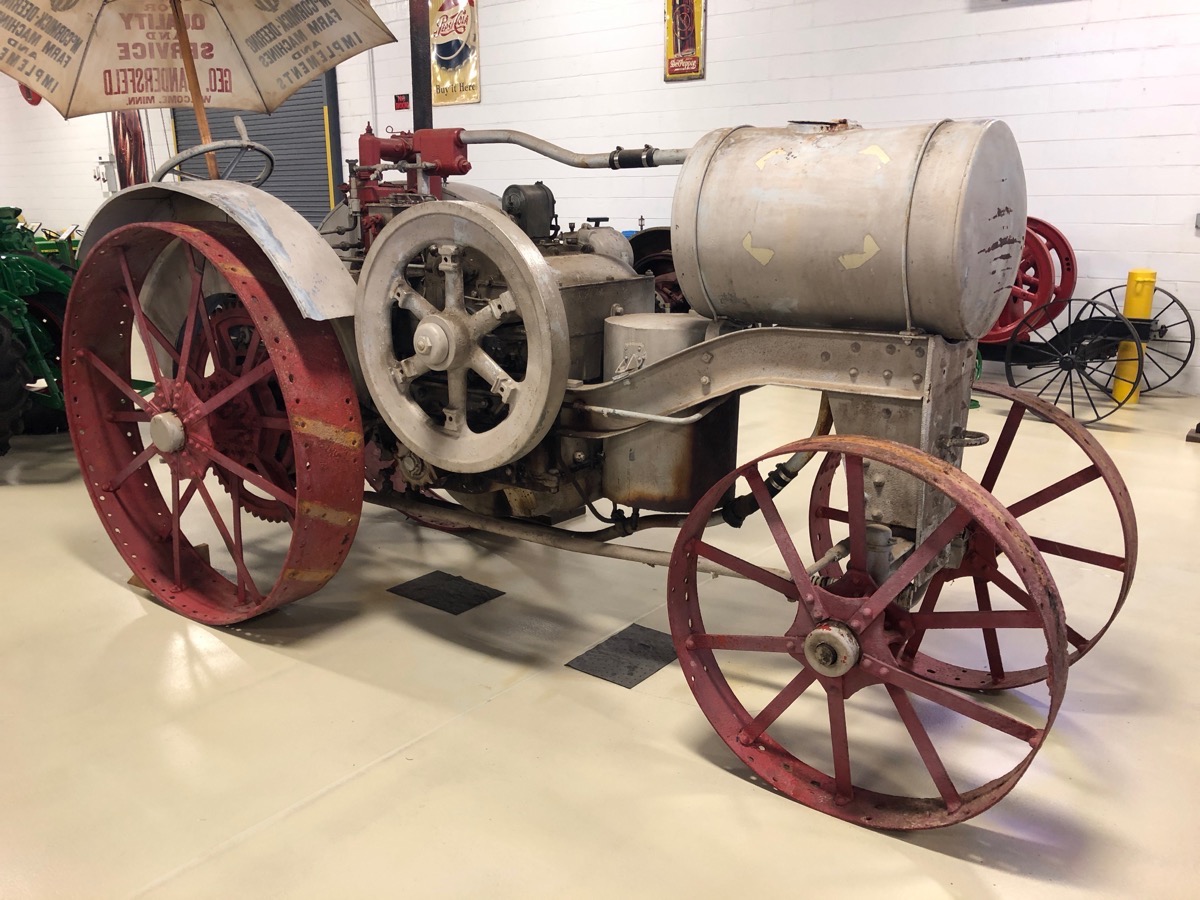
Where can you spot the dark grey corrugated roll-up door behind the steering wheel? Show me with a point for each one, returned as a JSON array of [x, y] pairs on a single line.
[[296, 134]]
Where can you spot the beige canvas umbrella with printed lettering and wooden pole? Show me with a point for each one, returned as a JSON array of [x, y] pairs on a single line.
[[104, 56]]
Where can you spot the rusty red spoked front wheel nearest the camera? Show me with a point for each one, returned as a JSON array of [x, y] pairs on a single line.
[[748, 734]]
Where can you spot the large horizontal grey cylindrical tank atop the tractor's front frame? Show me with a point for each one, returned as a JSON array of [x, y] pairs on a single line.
[[847, 227]]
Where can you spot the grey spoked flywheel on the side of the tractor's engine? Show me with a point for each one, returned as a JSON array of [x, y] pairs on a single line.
[[463, 335]]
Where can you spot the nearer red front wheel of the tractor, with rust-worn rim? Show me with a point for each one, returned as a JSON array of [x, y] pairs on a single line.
[[753, 651]]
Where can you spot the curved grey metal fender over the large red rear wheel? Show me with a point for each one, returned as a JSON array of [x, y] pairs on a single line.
[[308, 266]]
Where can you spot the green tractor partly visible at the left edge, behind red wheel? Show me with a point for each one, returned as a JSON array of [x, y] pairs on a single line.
[[35, 279]]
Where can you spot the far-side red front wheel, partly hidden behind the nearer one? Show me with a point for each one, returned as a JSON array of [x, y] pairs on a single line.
[[1052, 508]]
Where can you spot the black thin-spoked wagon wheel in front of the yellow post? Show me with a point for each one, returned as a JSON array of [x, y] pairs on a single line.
[[1079, 364]]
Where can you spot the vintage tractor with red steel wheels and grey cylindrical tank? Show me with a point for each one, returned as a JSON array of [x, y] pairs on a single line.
[[441, 343]]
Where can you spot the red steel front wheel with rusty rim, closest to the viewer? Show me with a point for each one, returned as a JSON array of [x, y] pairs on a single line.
[[871, 622]]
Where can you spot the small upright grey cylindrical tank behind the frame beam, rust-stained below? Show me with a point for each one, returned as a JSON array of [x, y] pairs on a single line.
[[664, 467]]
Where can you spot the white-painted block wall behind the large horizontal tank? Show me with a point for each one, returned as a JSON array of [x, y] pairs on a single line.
[[1103, 95]]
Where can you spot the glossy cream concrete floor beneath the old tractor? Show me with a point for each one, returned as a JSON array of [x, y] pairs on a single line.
[[359, 745]]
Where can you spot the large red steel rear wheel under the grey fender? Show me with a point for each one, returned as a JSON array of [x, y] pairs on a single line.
[[158, 497]]
